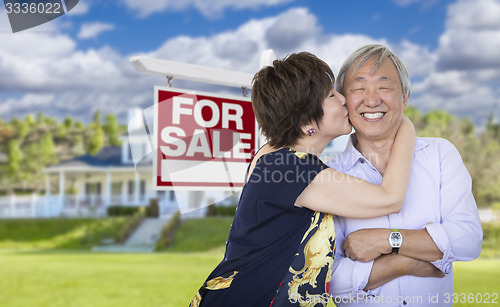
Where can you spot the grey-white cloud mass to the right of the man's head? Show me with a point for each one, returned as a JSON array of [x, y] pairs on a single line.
[[462, 74]]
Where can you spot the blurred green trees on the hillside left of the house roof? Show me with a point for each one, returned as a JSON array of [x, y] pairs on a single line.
[[32, 143]]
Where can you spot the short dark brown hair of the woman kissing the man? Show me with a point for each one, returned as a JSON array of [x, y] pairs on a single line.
[[289, 95]]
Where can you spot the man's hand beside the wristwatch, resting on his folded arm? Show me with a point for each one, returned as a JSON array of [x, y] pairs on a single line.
[[367, 244]]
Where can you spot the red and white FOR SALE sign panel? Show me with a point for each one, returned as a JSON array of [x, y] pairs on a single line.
[[203, 140]]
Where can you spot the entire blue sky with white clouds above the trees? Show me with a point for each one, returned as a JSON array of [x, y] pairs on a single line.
[[78, 63]]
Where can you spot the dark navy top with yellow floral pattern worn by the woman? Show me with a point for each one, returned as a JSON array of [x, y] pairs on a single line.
[[277, 254]]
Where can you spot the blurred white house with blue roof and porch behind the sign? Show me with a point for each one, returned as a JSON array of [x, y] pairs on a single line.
[[88, 185]]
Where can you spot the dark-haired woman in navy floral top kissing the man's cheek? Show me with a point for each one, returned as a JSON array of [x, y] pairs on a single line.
[[280, 247]]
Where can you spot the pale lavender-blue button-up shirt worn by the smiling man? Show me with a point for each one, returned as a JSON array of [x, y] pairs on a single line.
[[439, 199]]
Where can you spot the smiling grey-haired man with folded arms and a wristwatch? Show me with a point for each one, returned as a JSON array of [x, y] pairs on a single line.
[[403, 259]]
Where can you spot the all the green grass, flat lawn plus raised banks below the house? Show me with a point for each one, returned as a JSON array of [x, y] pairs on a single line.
[[68, 278]]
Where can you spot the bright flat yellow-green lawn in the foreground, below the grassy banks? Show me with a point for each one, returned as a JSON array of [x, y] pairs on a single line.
[[84, 279]]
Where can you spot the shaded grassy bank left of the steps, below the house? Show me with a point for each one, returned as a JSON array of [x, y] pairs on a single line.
[[58, 233]]
